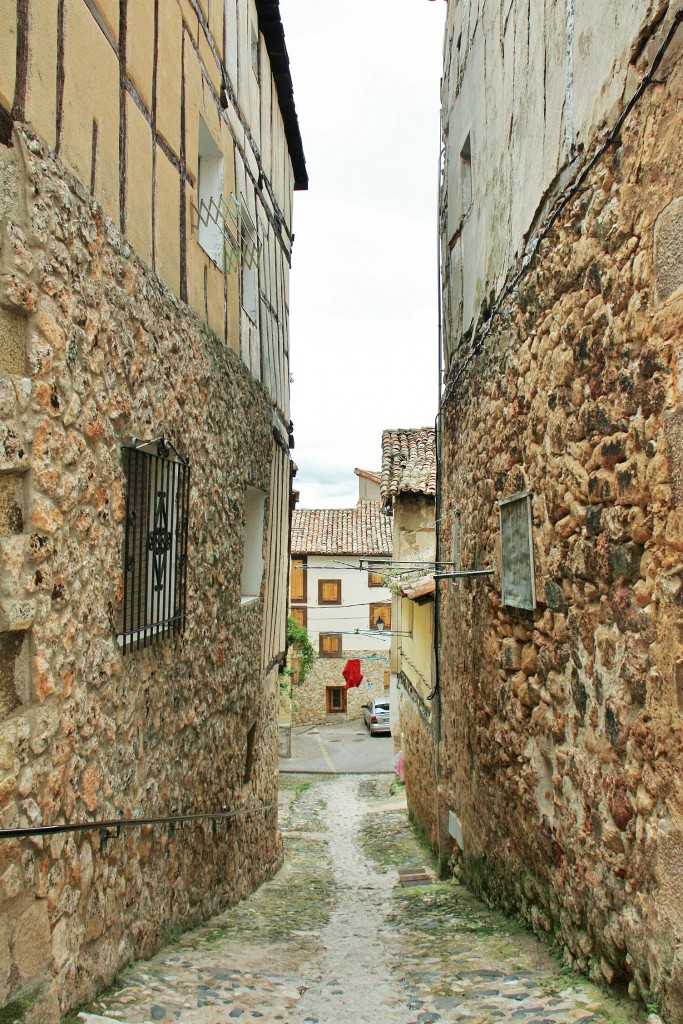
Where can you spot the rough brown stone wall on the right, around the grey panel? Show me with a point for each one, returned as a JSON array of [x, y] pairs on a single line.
[[563, 730]]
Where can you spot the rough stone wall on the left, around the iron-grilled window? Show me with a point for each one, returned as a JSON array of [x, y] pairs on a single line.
[[95, 350]]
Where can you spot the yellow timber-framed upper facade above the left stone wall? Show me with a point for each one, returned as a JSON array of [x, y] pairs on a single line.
[[181, 124]]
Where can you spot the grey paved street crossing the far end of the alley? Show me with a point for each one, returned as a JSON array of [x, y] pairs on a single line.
[[345, 748]]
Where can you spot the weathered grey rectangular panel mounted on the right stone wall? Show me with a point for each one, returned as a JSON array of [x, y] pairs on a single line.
[[518, 551]]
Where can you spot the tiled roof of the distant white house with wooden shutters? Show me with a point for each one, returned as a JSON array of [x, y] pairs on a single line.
[[362, 531]]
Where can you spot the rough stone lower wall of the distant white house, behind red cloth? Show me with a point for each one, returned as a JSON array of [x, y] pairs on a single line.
[[309, 707]]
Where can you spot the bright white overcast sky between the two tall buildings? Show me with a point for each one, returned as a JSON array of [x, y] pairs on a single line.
[[364, 285]]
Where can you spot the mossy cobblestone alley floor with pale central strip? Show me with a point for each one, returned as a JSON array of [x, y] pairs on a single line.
[[333, 940]]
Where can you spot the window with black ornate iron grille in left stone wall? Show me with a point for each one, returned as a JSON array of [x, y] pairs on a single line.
[[155, 565]]
